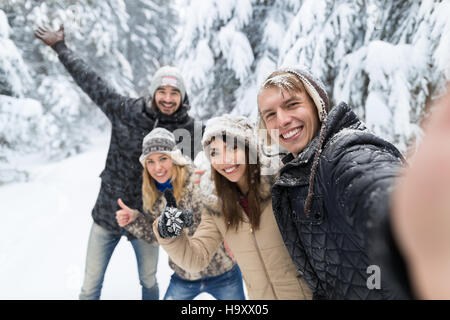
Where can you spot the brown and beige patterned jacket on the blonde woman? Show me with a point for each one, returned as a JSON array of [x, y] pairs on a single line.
[[192, 198]]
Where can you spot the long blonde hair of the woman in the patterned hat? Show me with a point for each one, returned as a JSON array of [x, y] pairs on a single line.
[[150, 193]]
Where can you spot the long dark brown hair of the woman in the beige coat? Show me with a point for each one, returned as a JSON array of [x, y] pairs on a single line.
[[228, 193]]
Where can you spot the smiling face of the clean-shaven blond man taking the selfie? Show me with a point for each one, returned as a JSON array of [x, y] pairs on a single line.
[[290, 117]]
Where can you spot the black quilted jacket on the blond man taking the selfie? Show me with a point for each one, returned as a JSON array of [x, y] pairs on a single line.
[[354, 174]]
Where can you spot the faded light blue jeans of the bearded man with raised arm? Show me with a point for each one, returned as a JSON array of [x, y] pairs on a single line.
[[101, 245]]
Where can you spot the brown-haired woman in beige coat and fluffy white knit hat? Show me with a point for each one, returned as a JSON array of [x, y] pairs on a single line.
[[242, 216]]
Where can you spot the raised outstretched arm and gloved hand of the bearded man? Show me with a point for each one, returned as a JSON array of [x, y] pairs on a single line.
[[94, 86]]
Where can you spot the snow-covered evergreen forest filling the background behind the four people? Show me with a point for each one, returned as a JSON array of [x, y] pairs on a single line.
[[386, 59]]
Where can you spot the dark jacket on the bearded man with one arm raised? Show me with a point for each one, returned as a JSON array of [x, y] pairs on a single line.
[[131, 120]]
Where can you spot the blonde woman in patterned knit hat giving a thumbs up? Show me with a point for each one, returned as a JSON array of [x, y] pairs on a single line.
[[168, 190]]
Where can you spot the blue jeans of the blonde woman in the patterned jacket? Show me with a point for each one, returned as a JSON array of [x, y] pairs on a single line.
[[227, 286]]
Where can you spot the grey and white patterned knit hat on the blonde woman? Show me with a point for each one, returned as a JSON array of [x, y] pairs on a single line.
[[160, 140]]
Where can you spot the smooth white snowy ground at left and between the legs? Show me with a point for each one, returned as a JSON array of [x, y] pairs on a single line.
[[45, 228]]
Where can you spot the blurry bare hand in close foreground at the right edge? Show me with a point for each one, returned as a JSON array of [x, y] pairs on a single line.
[[421, 208]]
